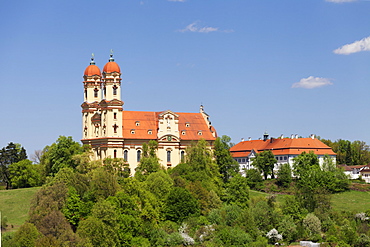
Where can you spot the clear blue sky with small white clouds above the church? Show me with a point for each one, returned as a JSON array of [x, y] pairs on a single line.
[[286, 67]]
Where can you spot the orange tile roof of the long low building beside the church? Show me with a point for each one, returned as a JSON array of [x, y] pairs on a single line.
[[285, 146]]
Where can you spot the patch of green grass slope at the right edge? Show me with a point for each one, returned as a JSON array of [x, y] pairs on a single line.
[[355, 201]]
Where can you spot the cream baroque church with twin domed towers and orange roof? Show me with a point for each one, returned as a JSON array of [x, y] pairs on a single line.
[[114, 132]]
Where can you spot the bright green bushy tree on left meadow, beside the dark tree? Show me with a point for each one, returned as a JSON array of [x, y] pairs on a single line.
[[24, 174]]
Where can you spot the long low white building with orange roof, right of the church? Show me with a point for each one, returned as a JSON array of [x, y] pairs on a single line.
[[284, 149]]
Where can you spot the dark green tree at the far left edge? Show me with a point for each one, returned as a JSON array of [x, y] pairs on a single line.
[[10, 154]]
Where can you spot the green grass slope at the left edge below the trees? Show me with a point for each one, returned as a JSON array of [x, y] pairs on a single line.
[[15, 204]]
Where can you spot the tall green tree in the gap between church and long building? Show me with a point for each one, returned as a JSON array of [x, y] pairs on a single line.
[[227, 165]]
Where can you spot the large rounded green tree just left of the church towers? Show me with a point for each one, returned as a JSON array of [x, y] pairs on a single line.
[[59, 155]]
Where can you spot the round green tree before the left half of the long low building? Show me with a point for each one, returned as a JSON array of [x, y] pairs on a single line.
[[265, 162]]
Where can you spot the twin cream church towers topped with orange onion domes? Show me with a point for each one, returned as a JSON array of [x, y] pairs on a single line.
[[102, 110]]
